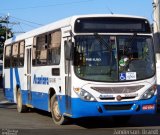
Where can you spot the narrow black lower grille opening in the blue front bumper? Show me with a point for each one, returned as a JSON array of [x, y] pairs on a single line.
[[118, 107]]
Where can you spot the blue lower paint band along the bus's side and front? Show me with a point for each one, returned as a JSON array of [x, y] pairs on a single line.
[[80, 108]]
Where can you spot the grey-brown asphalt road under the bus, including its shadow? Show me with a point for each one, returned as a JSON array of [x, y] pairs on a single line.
[[40, 122]]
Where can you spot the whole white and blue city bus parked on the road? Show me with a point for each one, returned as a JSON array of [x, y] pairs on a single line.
[[83, 66]]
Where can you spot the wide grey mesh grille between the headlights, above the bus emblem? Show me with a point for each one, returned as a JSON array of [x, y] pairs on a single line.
[[116, 90]]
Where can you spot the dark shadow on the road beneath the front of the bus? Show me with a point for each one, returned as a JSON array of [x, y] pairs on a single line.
[[136, 121]]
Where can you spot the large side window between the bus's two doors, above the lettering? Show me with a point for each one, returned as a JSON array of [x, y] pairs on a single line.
[[46, 49]]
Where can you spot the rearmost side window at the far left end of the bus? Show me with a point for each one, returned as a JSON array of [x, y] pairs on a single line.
[[7, 59]]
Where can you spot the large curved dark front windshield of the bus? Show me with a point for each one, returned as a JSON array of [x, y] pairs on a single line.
[[114, 58]]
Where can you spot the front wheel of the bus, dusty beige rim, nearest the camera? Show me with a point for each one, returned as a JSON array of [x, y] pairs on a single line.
[[57, 117]]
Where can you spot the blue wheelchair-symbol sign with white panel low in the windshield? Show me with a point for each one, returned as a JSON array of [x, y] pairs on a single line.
[[128, 76]]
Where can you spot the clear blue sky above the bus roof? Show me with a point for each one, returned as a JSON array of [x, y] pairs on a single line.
[[26, 15]]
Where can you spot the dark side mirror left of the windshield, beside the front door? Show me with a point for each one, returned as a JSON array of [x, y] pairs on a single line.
[[69, 47]]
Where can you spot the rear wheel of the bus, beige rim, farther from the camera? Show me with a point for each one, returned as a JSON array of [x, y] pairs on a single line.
[[20, 107]]
